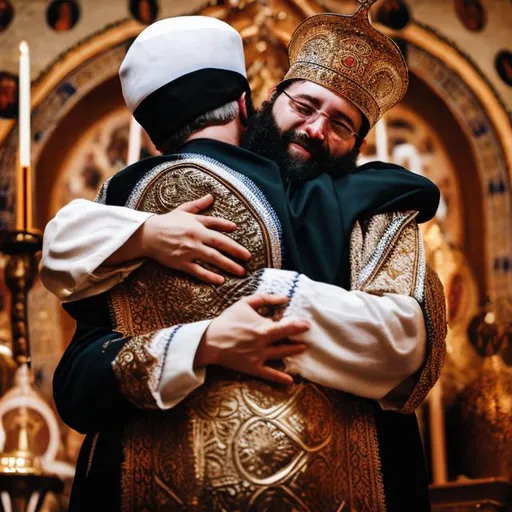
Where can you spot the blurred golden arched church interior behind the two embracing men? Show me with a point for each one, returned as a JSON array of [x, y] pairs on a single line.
[[453, 126]]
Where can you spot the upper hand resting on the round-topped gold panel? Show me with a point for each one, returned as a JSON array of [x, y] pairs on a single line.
[[181, 239]]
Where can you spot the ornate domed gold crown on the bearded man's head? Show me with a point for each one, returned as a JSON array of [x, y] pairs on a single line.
[[346, 54]]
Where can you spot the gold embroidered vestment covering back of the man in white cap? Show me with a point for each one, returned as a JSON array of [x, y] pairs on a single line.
[[236, 443]]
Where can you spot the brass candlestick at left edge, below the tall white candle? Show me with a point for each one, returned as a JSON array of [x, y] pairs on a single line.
[[22, 472]]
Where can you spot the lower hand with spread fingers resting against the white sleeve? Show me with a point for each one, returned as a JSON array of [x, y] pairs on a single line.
[[242, 340]]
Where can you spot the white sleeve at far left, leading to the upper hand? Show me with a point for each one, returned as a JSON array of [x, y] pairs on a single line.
[[78, 240]]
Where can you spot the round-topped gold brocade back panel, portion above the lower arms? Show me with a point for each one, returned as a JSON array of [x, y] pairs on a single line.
[[136, 304]]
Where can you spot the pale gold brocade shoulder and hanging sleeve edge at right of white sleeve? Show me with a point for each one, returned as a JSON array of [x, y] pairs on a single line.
[[395, 263]]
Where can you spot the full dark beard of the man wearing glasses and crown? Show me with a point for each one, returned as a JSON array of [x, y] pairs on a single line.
[[263, 137]]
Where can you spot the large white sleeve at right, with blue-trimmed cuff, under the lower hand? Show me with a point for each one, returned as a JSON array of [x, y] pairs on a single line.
[[359, 343]]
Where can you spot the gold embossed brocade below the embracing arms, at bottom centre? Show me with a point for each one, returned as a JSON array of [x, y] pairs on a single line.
[[251, 446]]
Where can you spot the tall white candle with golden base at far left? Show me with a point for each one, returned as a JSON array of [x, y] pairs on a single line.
[[24, 182]]
